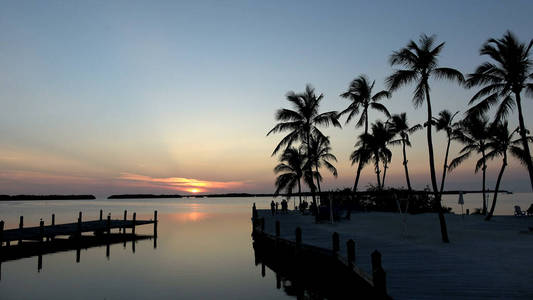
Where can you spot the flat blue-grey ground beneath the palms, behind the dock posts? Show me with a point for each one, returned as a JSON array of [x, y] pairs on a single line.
[[483, 260]]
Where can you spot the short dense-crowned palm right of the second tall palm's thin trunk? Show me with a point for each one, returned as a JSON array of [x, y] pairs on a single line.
[[374, 146]]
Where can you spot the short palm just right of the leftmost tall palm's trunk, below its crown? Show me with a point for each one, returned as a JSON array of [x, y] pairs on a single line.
[[321, 156]]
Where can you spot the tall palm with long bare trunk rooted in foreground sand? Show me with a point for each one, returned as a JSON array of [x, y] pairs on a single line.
[[420, 61]]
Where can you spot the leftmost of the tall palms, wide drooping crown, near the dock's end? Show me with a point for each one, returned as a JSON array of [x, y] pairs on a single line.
[[302, 122]]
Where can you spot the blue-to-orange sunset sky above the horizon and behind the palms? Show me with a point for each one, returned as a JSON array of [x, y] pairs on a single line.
[[106, 97]]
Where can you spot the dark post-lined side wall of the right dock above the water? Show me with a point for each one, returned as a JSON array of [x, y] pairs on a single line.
[[320, 270]]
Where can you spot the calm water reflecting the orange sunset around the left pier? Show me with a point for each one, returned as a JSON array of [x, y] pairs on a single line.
[[204, 251]]
